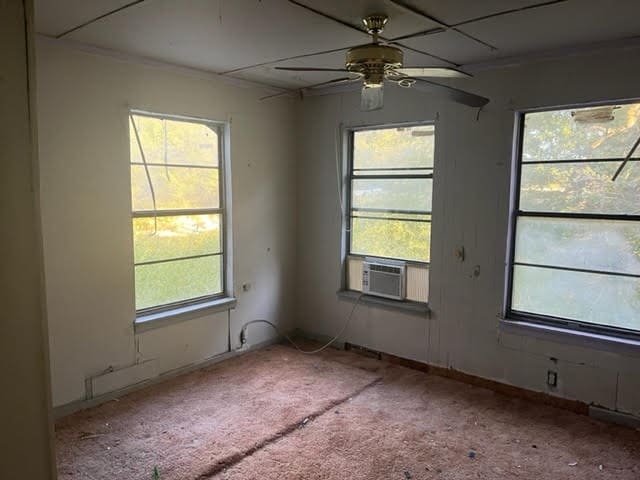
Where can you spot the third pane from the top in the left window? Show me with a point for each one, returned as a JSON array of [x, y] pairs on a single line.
[[175, 237]]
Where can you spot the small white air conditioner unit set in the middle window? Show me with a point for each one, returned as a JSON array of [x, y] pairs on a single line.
[[384, 278]]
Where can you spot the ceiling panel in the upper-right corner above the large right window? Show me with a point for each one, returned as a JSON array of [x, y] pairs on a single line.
[[560, 25]]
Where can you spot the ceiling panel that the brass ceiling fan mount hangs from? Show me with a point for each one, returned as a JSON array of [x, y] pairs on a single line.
[[401, 22]]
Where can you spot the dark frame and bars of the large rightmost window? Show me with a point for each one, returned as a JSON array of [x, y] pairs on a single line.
[[570, 325]]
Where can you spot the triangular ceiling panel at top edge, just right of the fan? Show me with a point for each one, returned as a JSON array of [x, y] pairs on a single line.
[[453, 12]]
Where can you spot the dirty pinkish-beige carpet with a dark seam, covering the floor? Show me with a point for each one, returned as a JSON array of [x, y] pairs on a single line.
[[245, 419]]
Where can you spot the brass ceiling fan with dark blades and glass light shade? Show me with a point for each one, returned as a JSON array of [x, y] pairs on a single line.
[[376, 63]]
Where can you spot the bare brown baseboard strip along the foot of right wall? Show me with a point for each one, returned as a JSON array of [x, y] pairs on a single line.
[[493, 385]]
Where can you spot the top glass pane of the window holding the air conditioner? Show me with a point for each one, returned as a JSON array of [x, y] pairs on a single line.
[[406, 147]]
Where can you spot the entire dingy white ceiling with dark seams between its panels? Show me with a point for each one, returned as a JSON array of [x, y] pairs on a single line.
[[247, 38]]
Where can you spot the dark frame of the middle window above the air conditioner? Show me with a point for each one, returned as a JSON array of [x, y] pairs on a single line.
[[348, 176]]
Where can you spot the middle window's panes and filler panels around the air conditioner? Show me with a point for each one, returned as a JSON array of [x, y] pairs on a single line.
[[390, 187]]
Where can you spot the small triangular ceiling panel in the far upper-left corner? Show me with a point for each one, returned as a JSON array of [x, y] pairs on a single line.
[[55, 17]]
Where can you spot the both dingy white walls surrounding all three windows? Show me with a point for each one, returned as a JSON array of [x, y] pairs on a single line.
[[278, 157]]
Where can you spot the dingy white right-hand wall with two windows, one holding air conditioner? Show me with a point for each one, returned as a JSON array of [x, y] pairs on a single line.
[[471, 207]]
